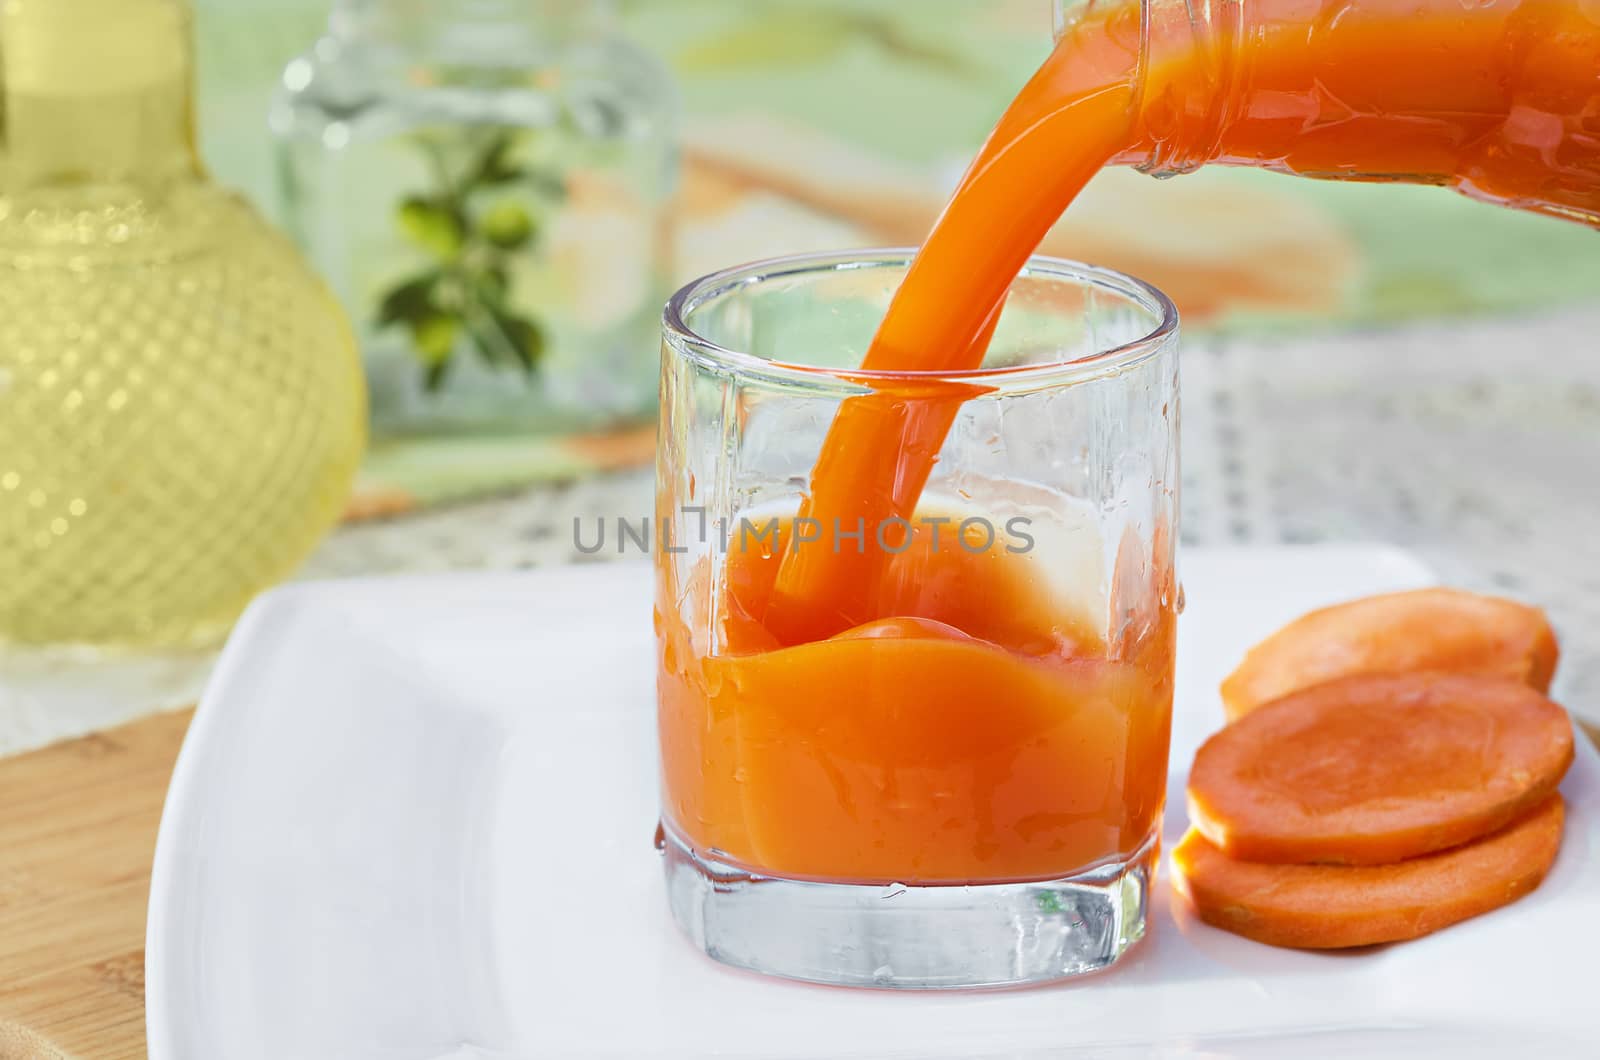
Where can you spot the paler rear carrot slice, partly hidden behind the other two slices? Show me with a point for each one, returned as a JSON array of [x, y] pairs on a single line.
[[1446, 630]]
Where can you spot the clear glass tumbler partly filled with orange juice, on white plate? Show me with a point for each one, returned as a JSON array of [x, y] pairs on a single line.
[[958, 782]]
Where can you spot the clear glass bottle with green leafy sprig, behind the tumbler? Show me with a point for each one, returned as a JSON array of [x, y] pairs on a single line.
[[484, 183]]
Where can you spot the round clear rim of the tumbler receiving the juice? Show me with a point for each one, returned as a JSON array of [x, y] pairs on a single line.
[[718, 358]]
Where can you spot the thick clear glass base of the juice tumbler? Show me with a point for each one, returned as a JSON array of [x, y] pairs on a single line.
[[903, 938]]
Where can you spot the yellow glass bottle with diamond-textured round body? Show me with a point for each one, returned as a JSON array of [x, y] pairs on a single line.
[[182, 408]]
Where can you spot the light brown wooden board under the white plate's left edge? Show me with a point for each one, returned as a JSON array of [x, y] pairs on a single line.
[[78, 833]]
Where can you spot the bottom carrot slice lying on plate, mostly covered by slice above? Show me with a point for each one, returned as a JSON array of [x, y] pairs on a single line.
[[1332, 907]]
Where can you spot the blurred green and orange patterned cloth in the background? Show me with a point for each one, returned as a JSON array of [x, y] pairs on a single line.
[[825, 124]]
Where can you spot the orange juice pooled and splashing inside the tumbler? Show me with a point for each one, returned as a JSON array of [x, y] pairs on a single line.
[[974, 729]]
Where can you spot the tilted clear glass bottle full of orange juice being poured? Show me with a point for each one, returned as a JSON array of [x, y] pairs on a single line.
[[1498, 100]]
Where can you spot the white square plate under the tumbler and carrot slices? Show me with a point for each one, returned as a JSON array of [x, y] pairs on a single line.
[[414, 819]]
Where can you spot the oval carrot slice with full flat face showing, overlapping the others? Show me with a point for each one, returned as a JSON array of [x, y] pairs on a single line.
[[1377, 769]]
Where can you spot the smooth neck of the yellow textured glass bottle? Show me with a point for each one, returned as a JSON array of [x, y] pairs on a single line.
[[95, 94]]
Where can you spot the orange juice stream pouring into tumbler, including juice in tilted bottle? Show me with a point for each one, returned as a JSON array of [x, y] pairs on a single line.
[[1498, 100]]
